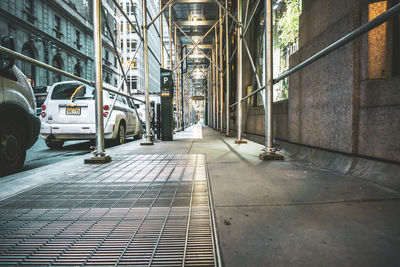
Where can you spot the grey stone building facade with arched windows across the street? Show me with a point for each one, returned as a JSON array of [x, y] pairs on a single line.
[[59, 33]]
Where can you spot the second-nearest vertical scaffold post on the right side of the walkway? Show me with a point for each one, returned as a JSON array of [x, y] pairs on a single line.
[[239, 73]]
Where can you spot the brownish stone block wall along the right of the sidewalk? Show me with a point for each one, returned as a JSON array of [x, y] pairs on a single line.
[[333, 104]]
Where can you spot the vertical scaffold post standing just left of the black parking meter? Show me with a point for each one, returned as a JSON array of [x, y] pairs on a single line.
[[146, 73]]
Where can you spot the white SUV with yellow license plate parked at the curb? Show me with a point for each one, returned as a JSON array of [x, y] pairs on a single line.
[[68, 113]]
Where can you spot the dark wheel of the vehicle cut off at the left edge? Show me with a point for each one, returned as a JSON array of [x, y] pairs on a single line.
[[12, 151]]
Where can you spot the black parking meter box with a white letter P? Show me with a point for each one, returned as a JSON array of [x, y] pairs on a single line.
[[167, 107]]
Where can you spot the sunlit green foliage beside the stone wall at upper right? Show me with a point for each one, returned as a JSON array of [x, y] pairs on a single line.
[[288, 23]]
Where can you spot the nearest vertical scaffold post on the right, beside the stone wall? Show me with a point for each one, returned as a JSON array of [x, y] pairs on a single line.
[[269, 152]]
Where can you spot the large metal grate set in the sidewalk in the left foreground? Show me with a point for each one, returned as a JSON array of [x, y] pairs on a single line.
[[142, 210]]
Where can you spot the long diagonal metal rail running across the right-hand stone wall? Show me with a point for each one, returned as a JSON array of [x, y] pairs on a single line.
[[336, 45]]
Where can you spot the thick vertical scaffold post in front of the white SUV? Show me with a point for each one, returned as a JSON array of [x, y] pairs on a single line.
[[99, 155]]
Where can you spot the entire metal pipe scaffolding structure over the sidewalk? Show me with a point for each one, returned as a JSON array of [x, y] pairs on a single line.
[[218, 72]]
